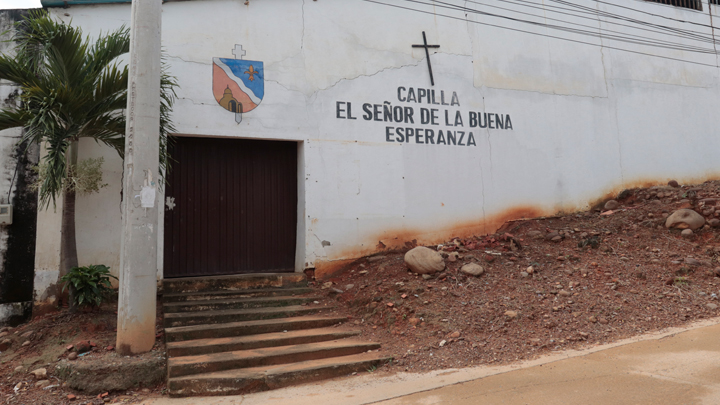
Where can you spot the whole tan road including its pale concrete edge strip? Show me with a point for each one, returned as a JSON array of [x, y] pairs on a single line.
[[675, 367]]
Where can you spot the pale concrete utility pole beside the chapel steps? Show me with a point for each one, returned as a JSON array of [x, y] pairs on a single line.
[[138, 246]]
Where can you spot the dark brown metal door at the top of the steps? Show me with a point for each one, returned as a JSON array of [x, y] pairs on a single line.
[[231, 207]]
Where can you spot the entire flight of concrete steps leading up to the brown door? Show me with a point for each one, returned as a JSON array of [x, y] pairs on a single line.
[[232, 335]]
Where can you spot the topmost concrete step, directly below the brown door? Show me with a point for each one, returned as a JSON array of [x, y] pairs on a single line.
[[234, 282]]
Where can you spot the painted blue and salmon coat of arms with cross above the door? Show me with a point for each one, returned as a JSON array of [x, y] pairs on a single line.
[[238, 84]]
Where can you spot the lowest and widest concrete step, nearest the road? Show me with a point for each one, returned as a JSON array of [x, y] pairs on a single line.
[[236, 382]]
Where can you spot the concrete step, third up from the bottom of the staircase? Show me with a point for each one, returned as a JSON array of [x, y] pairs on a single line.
[[228, 344]]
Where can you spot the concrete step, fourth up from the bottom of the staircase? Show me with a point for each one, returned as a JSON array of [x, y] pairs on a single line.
[[245, 328]]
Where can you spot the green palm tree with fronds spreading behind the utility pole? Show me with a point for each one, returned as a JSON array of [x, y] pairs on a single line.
[[71, 88]]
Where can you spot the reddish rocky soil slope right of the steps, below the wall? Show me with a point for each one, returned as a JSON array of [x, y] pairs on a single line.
[[544, 284]]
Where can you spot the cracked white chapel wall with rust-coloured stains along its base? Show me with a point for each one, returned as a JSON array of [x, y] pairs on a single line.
[[588, 119]]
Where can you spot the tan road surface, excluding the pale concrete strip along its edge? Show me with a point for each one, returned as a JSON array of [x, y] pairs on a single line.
[[682, 369]]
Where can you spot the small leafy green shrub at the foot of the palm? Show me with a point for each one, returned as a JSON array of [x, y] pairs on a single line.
[[89, 285]]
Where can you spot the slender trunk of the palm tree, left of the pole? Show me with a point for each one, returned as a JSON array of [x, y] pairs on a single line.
[[68, 242]]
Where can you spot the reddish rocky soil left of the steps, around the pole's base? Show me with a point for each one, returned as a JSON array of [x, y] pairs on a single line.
[[31, 353]]
